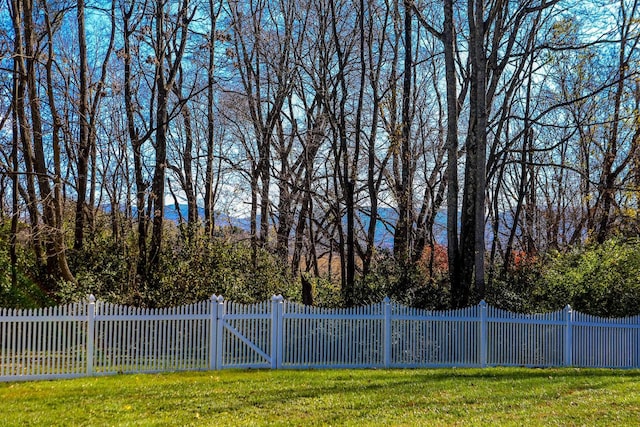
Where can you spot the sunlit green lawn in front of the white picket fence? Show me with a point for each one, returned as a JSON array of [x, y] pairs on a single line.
[[495, 396]]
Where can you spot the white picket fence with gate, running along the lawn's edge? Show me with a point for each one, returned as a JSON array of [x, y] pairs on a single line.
[[97, 338]]
